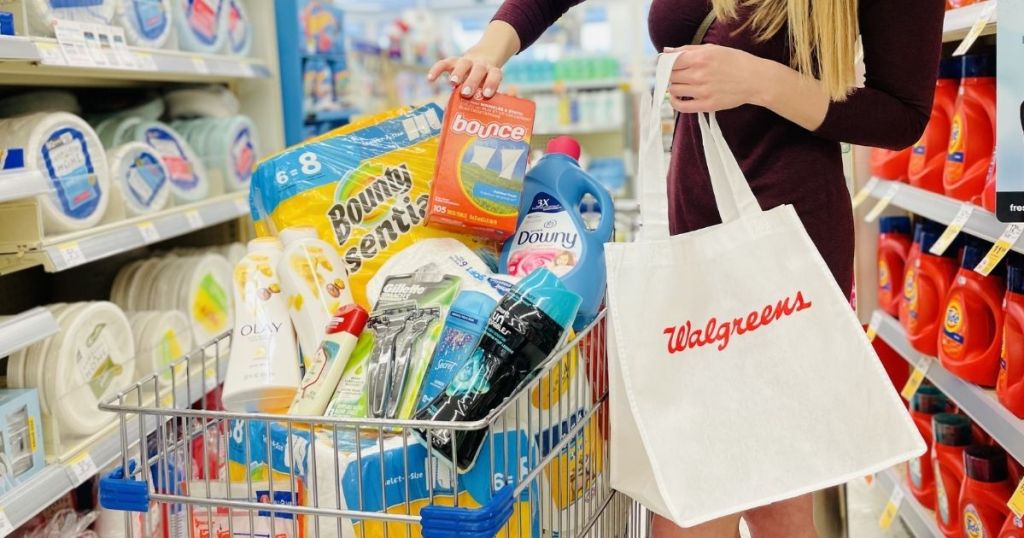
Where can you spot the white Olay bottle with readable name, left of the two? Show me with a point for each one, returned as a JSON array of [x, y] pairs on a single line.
[[264, 369]]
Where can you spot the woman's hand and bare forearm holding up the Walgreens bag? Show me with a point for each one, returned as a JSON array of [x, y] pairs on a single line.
[[712, 78]]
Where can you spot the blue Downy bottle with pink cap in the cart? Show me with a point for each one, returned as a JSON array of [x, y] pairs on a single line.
[[551, 232]]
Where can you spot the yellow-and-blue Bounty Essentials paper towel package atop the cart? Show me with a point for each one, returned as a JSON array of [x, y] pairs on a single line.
[[364, 188]]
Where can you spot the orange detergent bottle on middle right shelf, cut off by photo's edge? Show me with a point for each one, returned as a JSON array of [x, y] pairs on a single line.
[[1010, 386]]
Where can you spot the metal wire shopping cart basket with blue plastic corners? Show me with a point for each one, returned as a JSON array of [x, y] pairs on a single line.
[[542, 470]]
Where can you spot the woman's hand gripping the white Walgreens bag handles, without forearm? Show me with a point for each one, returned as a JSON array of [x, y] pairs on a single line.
[[711, 78]]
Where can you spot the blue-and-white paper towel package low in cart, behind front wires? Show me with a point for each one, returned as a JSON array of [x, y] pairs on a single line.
[[386, 469]]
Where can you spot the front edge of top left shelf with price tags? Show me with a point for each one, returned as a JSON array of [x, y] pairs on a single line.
[[40, 59]]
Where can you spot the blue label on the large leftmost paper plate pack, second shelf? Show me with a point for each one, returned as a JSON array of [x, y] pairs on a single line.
[[70, 168]]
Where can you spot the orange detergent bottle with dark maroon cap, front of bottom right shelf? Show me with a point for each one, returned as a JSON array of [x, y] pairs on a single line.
[[986, 492]]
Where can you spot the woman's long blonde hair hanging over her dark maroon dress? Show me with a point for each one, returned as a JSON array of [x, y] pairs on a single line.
[[823, 36]]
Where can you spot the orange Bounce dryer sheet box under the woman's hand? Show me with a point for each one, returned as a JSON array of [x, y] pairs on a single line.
[[482, 162]]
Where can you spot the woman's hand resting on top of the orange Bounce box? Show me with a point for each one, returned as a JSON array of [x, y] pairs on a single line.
[[480, 70]]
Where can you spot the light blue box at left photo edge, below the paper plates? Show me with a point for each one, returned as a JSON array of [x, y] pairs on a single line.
[[21, 437]]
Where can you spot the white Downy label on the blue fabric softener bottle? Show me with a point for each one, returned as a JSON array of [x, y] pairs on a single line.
[[547, 237]]
